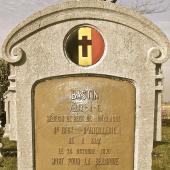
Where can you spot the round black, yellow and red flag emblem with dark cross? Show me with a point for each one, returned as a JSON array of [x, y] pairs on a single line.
[[85, 46]]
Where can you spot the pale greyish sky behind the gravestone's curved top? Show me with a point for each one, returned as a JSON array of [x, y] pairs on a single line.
[[12, 12]]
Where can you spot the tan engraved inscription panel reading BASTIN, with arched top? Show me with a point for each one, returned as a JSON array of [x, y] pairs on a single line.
[[84, 123]]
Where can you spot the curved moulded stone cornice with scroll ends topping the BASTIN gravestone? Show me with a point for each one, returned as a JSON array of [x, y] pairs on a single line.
[[111, 12]]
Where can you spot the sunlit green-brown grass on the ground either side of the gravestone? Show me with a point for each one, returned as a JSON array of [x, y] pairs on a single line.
[[161, 154]]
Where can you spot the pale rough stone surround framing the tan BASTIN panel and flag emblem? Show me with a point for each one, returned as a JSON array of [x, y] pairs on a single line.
[[135, 50]]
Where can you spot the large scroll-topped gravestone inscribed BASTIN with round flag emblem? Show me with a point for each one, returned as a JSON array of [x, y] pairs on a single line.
[[86, 79]]
